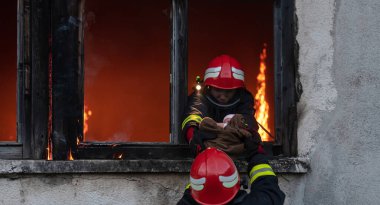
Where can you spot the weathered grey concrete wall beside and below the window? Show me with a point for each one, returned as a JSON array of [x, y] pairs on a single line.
[[338, 130]]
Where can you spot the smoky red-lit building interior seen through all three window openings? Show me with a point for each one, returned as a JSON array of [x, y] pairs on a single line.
[[127, 61]]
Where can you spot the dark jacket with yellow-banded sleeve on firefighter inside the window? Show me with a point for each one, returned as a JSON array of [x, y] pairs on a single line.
[[200, 105]]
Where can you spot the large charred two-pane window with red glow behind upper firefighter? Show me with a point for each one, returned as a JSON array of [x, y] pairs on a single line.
[[76, 57]]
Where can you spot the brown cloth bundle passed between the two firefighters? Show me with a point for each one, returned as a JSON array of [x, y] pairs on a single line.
[[230, 134]]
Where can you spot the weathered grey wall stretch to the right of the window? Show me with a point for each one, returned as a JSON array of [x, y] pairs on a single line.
[[339, 111]]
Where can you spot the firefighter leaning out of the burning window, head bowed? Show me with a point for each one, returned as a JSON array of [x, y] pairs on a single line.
[[223, 93]]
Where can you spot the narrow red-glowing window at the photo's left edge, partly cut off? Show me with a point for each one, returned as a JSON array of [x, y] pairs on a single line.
[[11, 142]]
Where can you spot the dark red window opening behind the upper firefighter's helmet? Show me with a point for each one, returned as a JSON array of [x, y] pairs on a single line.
[[240, 29]]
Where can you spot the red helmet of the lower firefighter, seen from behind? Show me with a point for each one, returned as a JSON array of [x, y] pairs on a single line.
[[214, 178]]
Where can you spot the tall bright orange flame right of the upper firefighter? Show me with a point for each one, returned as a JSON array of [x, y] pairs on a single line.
[[261, 105]]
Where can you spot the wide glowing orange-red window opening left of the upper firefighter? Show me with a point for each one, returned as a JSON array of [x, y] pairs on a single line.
[[127, 70]]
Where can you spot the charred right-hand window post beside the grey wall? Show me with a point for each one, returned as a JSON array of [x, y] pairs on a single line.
[[288, 88]]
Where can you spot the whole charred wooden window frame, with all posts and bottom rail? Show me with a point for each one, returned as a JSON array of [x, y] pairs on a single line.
[[39, 21]]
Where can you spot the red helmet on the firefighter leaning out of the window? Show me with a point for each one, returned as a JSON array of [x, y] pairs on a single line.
[[224, 72]]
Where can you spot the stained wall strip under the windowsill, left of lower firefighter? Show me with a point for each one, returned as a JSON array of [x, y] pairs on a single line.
[[93, 189]]
